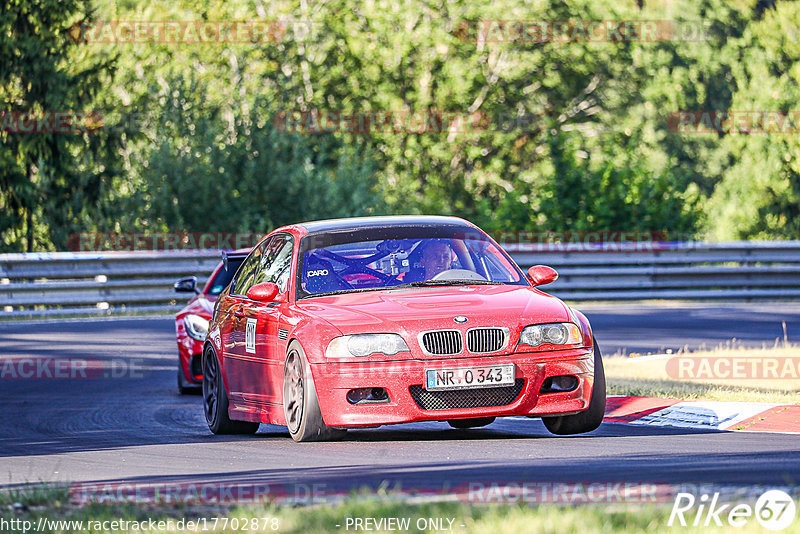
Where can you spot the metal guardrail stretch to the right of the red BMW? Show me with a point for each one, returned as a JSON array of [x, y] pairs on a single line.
[[652, 270]]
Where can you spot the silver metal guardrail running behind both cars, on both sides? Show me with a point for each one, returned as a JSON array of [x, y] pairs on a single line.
[[82, 283]]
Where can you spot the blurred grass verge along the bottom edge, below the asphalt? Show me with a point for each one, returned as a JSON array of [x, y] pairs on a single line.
[[53, 504]]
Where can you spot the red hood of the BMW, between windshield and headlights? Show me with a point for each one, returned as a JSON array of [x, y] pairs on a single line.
[[414, 310]]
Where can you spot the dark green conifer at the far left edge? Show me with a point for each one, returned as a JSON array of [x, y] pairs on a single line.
[[49, 182]]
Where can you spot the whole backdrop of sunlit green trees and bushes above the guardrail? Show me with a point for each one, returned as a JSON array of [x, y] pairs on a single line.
[[578, 136]]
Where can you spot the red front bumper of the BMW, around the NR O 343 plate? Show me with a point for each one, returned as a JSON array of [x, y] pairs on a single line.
[[333, 380]]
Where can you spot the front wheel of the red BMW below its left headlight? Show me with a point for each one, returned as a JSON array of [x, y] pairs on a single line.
[[300, 402]]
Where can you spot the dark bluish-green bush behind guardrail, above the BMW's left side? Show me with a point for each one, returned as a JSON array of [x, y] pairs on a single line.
[[218, 167]]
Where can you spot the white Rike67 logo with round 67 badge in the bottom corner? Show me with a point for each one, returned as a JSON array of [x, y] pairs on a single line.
[[774, 510]]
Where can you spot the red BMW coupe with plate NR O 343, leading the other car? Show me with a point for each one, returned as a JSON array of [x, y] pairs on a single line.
[[356, 323]]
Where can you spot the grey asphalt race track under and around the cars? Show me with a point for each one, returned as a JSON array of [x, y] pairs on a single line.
[[136, 428]]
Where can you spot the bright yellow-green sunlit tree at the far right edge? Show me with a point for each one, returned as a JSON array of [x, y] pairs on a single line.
[[758, 196]]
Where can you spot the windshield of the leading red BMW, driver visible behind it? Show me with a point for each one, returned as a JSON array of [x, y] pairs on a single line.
[[397, 257]]
